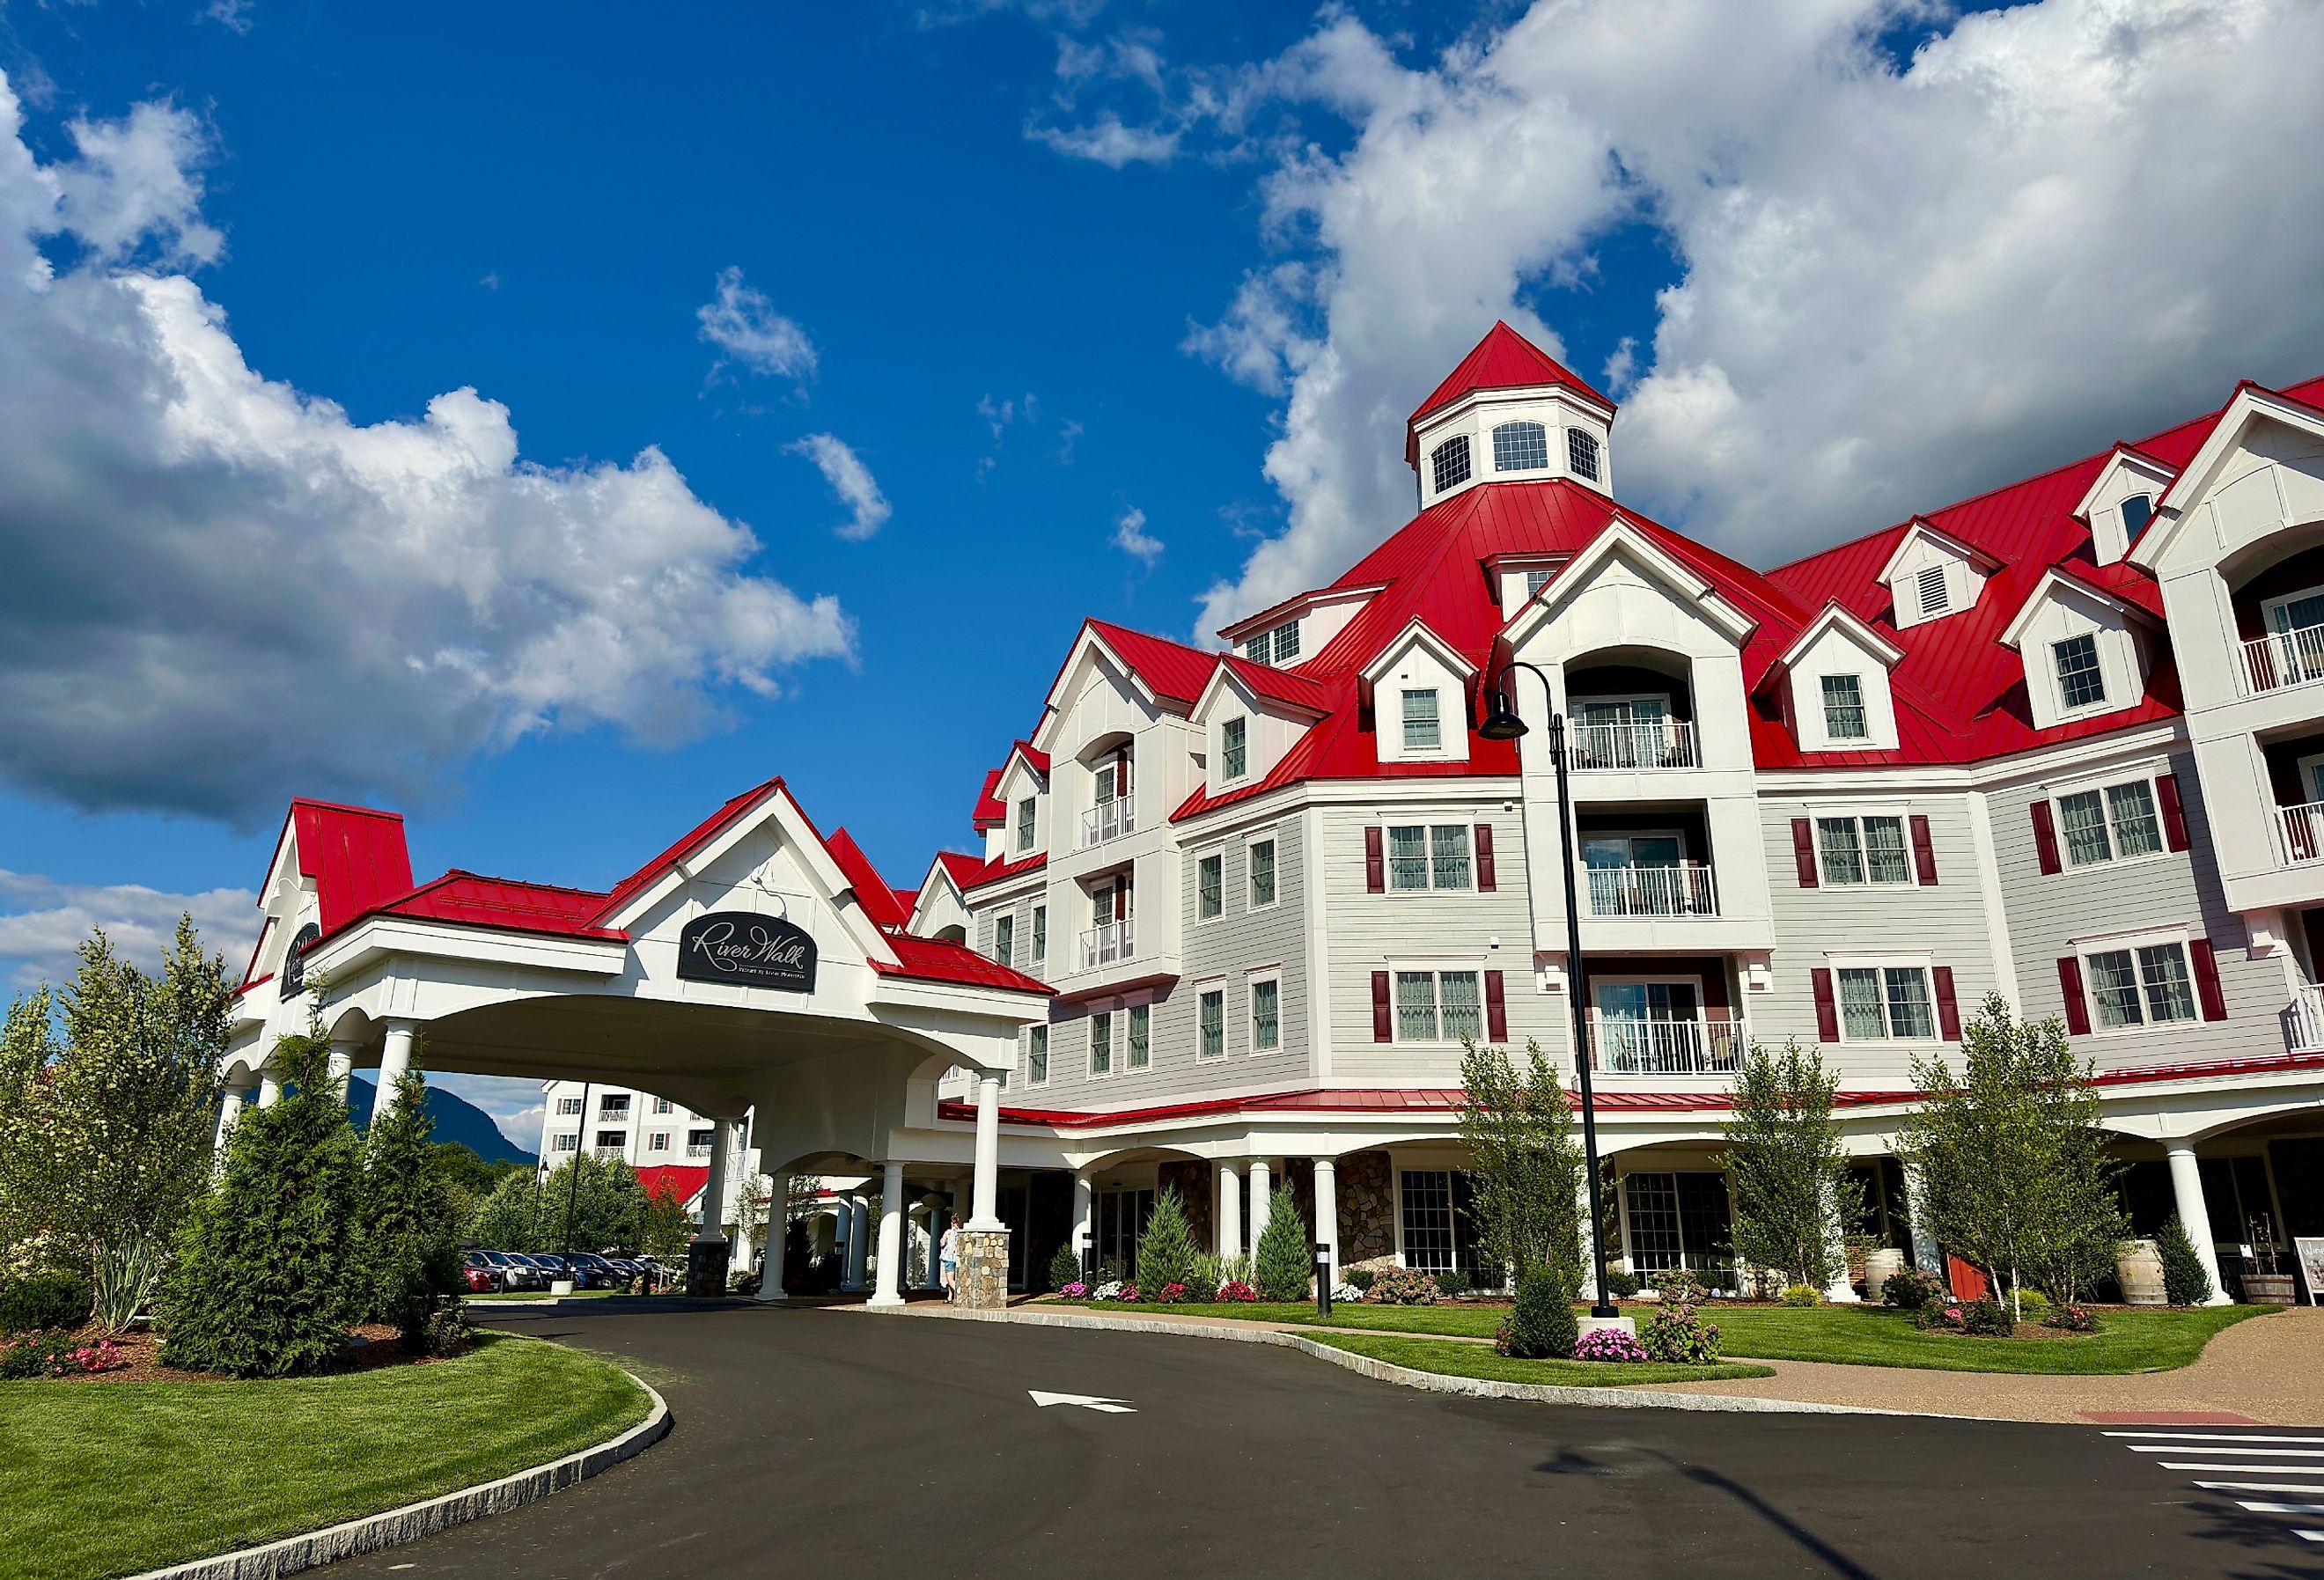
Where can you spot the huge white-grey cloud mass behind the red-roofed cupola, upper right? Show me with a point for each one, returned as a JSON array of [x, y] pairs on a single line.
[[1902, 282]]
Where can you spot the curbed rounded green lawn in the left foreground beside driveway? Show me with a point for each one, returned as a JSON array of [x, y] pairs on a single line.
[[110, 1479]]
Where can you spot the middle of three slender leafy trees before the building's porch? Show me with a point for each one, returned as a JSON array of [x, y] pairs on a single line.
[[1788, 1168]]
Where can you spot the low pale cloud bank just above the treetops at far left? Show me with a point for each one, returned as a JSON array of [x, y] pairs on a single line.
[[43, 924]]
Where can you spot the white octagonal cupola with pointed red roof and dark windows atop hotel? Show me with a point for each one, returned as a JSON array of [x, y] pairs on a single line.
[[1512, 415]]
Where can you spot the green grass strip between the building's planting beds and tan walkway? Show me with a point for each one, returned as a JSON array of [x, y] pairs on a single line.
[[1849, 1335]]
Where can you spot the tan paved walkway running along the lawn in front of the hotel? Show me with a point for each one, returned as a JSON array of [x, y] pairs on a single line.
[[2269, 1370]]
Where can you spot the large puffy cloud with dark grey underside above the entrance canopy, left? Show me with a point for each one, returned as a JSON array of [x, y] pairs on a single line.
[[224, 591]]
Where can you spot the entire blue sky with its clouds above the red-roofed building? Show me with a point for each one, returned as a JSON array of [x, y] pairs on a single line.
[[1040, 271]]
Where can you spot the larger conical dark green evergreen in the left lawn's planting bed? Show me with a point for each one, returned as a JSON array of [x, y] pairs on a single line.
[[261, 1279]]
